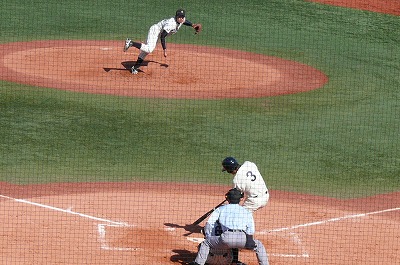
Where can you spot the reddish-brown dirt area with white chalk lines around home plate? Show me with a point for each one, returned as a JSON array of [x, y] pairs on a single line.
[[145, 223]]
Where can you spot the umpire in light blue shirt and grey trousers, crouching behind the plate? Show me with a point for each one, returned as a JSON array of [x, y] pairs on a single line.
[[238, 228]]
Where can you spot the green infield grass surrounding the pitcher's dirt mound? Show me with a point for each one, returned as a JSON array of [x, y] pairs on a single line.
[[340, 140]]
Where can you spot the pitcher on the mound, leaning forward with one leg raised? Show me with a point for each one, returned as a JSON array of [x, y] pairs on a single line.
[[162, 29]]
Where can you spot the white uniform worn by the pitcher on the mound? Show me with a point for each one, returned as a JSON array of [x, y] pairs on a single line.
[[169, 25]]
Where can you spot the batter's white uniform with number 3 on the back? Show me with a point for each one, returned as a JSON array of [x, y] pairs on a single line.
[[248, 180]]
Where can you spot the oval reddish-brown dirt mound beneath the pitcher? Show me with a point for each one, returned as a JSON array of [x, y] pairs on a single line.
[[191, 72]]
